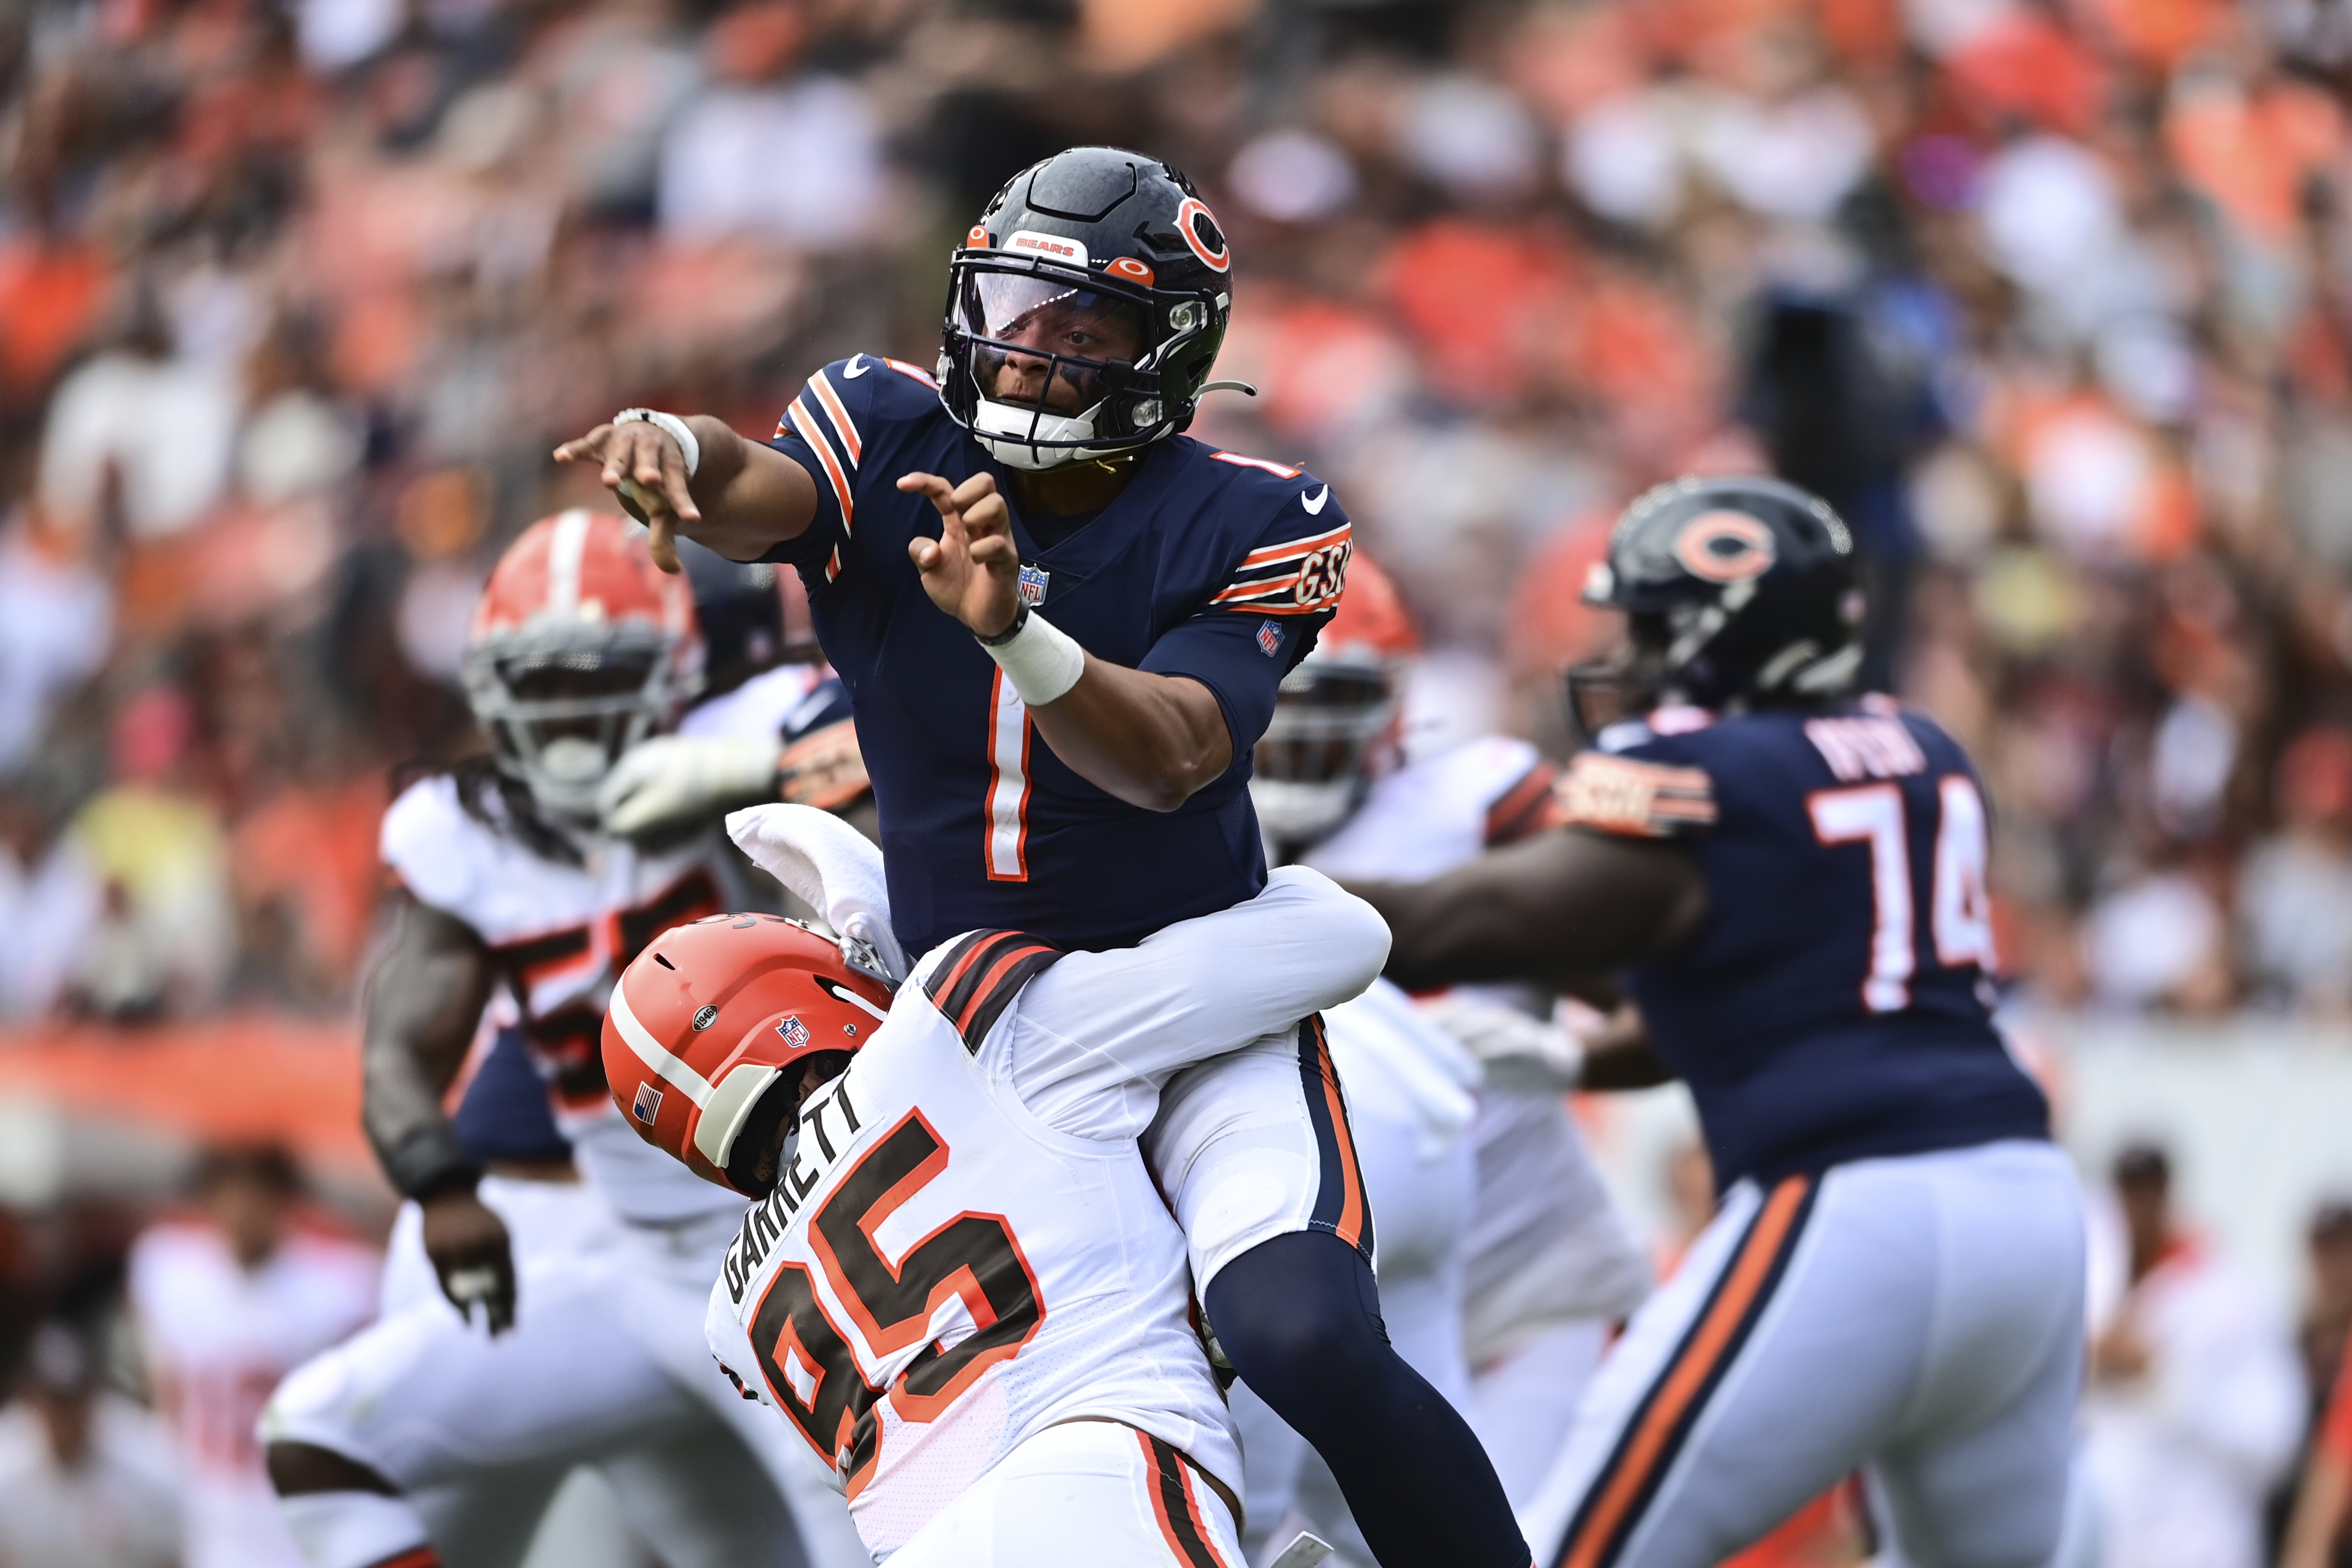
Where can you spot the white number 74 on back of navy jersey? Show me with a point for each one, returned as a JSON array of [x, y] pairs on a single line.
[[1960, 913]]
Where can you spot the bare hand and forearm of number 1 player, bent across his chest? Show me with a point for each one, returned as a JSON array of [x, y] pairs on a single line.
[[1147, 739]]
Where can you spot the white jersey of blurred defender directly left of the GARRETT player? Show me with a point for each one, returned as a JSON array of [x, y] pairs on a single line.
[[561, 937]]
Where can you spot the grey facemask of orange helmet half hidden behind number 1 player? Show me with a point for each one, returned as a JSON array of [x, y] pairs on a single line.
[[1321, 749]]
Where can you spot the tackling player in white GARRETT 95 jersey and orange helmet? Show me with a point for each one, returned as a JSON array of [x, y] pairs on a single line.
[[961, 1285]]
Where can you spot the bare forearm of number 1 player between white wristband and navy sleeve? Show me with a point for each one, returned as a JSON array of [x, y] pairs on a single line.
[[1149, 739]]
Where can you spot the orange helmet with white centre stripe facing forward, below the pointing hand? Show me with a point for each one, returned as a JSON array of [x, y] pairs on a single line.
[[580, 648]]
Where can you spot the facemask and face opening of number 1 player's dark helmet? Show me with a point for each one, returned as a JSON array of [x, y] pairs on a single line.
[[1050, 363]]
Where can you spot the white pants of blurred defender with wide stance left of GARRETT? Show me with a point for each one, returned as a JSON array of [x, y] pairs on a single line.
[[606, 1367]]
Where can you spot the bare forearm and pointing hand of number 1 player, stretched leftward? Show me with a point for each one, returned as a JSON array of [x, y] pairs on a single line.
[[744, 500]]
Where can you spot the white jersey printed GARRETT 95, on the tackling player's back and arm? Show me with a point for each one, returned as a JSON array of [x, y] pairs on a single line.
[[968, 1245]]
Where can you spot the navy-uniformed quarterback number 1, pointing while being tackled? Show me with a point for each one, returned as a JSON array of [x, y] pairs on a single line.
[[1067, 749]]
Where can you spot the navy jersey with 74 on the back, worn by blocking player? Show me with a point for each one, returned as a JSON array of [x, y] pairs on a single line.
[[1836, 1005]]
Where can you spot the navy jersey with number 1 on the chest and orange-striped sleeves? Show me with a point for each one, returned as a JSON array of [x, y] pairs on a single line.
[[1208, 565]]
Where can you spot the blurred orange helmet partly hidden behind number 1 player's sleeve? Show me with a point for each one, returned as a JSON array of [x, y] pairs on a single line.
[[1335, 713]]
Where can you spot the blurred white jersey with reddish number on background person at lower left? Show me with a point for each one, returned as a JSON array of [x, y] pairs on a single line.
[[218, 1341]]
